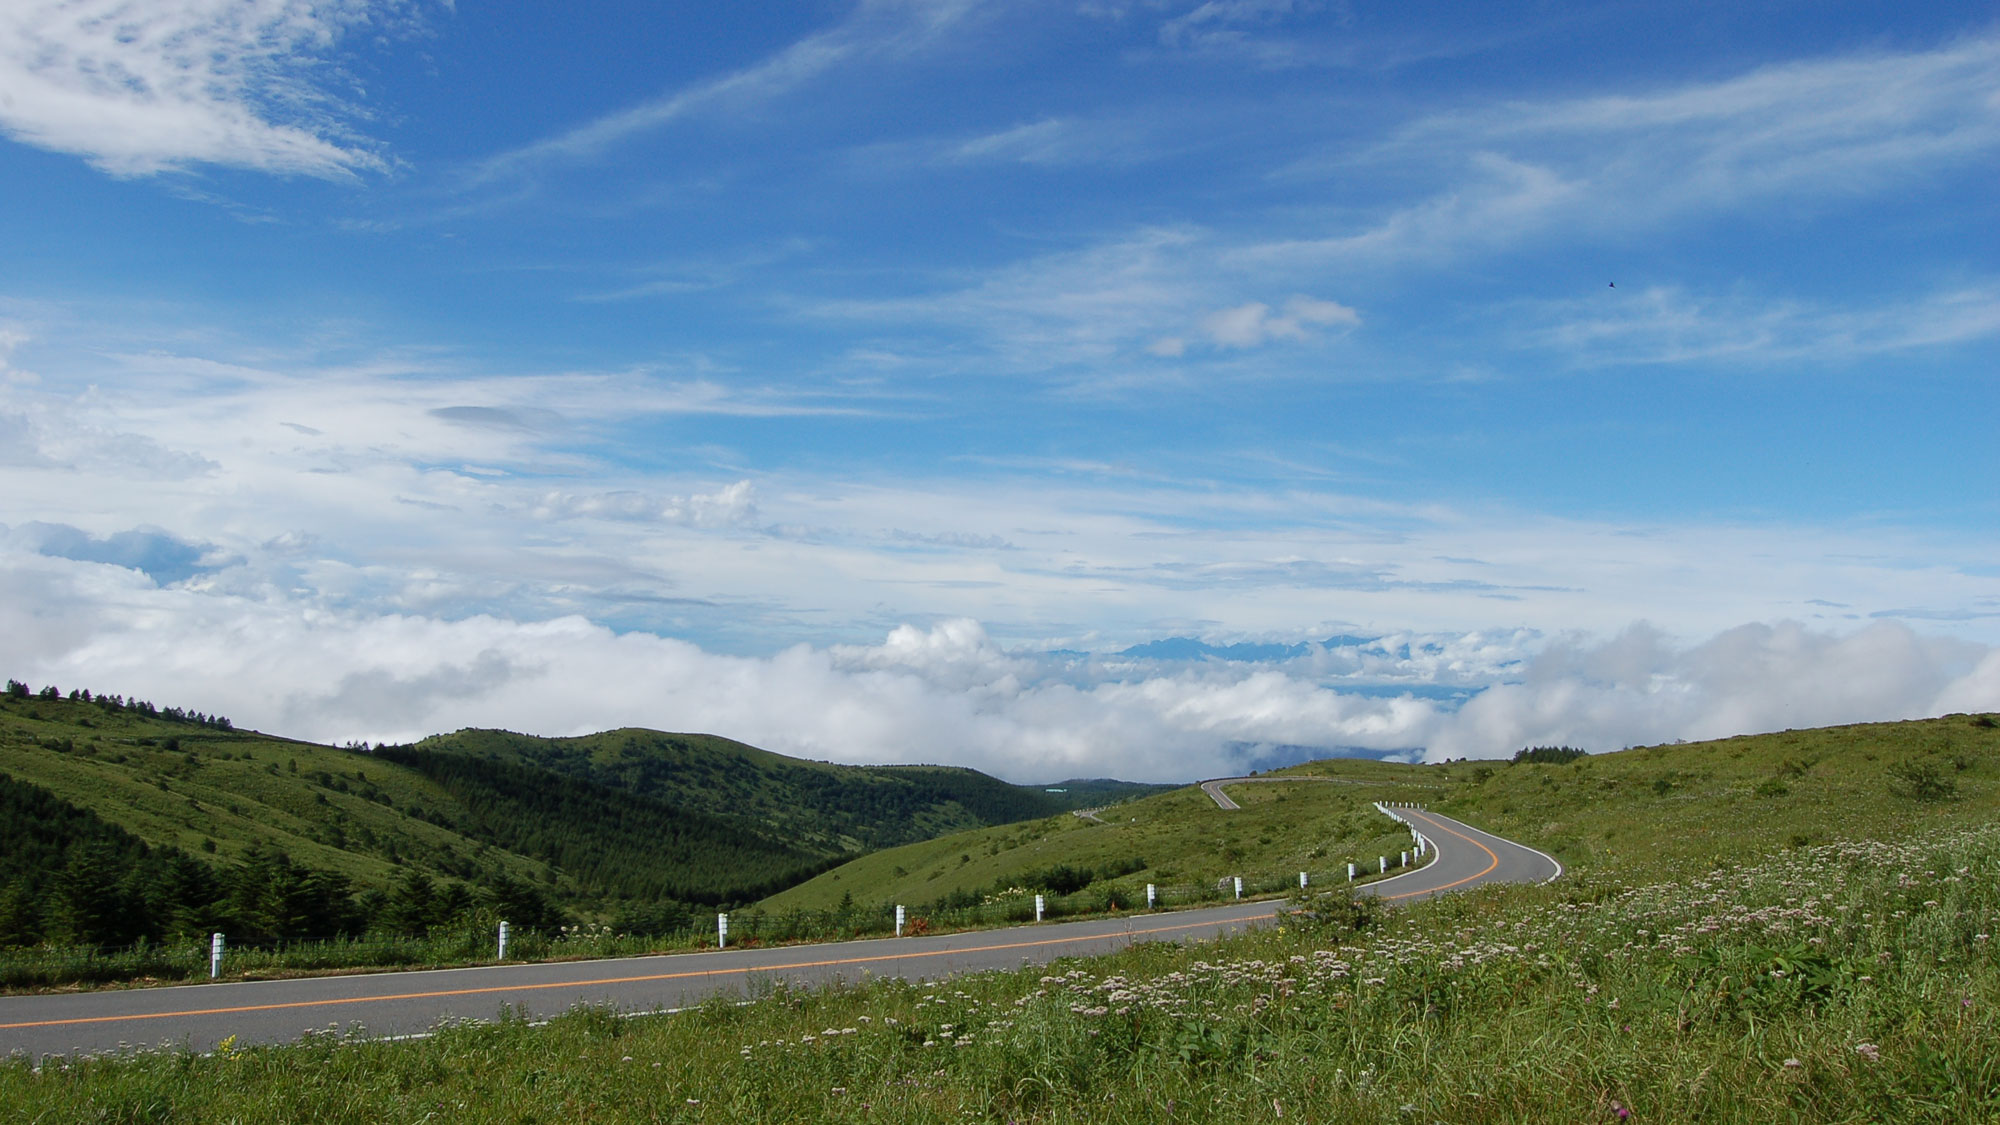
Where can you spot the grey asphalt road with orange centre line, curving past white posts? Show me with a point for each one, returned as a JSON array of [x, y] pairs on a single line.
[[409, 1004]]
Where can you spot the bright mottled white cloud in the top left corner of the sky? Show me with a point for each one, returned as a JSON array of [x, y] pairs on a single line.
[[141, 89]]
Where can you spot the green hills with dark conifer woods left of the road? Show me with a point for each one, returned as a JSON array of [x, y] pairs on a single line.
[[623, 824]]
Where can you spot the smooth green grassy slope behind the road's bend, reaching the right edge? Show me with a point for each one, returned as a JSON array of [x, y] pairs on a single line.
[[1649, 812]]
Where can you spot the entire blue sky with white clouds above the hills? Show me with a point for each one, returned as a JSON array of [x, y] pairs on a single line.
[[869, 379]]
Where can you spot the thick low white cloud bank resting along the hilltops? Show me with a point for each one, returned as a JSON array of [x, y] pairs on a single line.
[[945, 694]]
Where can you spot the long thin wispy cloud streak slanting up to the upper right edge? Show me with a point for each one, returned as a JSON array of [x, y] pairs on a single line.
[[1815, 133]]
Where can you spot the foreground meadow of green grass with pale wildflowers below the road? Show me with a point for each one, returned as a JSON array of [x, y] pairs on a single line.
[[1819, 984]]
